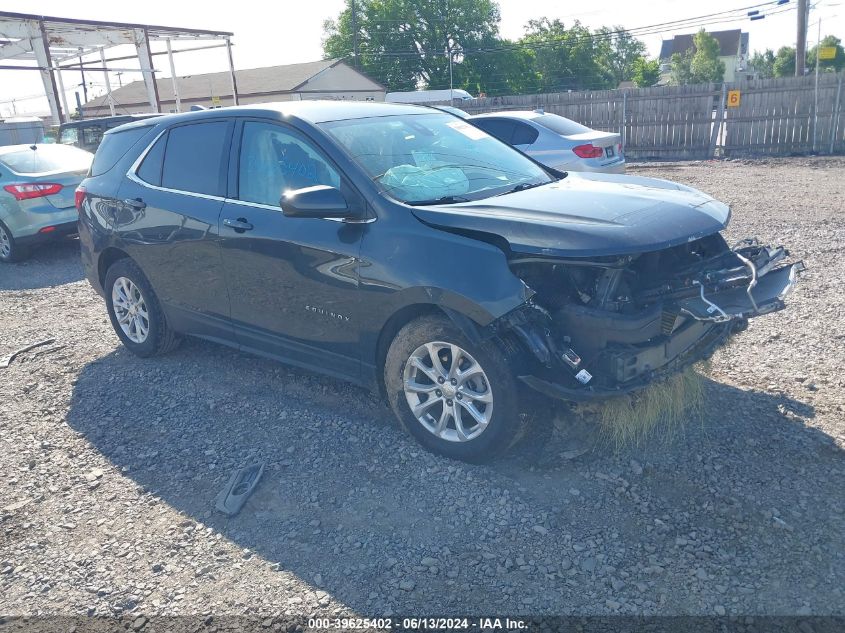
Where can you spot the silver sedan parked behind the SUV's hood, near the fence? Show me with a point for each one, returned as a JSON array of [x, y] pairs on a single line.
[[555, 141]]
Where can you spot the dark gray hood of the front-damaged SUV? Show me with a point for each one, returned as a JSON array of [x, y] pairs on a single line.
[[587, 215]]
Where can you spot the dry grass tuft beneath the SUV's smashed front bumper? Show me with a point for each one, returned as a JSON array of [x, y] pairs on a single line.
[[664, 407]]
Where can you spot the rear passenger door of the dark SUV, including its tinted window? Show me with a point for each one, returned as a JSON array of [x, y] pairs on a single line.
[[167, 218]]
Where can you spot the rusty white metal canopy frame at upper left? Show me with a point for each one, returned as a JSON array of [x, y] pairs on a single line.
[[57, 44]]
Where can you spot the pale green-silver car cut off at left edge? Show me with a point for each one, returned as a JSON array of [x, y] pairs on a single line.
[[37, 195]]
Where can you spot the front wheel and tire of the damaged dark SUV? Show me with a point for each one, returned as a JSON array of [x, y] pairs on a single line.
[[466, 438]]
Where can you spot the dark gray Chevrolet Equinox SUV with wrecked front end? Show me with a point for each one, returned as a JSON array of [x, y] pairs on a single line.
[[410, 252]]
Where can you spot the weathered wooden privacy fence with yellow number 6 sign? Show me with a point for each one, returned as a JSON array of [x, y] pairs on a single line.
[[774, 117]]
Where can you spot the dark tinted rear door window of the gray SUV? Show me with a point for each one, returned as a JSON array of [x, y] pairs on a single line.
[[194, 160]]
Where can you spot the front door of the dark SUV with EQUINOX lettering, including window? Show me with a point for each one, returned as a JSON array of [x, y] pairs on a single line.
[[293, 282]]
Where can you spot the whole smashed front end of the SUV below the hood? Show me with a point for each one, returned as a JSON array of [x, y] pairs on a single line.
[[610, 325]]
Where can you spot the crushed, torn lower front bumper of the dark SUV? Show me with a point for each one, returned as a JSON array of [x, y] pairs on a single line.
[[691, 318]]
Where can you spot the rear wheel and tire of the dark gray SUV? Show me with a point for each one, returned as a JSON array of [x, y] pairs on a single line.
[[148, 332]]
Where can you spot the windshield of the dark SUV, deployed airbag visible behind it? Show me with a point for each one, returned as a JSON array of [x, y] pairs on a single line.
[[435, 157]]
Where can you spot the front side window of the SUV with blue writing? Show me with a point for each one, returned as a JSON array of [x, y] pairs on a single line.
[[275, 159]]
